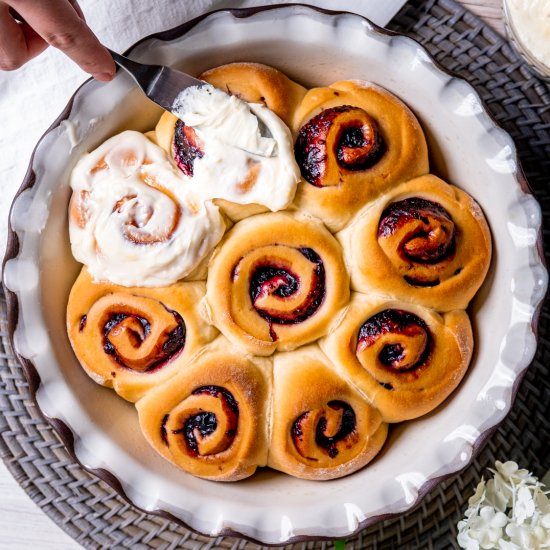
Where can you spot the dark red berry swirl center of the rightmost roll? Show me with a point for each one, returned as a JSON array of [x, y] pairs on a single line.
[[419, 236]]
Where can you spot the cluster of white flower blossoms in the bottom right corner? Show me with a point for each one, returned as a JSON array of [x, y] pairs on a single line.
[[511, 511]]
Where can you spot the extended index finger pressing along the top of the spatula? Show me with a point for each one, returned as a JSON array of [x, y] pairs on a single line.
[[57, 22]]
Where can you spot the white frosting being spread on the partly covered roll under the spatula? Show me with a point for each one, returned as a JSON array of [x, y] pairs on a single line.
[[247, 149]]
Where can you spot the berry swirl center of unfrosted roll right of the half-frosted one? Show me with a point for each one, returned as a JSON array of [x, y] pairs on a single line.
[[338, 139]]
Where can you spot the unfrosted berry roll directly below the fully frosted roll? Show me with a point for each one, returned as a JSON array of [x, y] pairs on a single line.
[[132, 339]]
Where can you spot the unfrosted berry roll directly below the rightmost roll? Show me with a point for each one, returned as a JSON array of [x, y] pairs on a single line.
[[405, 358]]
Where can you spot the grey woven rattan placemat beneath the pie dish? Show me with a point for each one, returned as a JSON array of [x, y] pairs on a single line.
[[95, 516]]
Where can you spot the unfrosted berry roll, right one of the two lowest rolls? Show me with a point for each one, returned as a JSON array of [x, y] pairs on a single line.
[[322, 428]]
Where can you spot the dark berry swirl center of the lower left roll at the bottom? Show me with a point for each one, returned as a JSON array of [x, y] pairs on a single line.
[[205, 423]]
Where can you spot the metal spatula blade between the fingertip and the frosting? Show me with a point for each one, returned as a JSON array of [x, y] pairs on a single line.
[[160, 84]]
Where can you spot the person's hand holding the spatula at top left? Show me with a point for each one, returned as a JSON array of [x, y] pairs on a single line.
[[28, 27]]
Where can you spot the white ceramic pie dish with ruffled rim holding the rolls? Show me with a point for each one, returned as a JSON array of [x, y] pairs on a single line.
[[466, 148]]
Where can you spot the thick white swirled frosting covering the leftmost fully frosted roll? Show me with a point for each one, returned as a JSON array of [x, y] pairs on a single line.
[[133, 218]]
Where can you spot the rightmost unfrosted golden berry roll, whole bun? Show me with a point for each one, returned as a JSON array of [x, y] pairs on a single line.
[[425, 241]]
